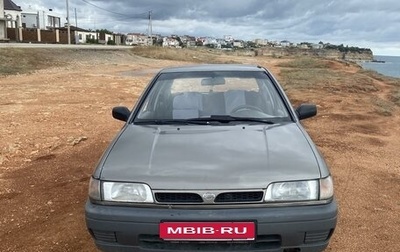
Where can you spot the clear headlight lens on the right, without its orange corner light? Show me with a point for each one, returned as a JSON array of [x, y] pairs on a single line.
[[292, 191]]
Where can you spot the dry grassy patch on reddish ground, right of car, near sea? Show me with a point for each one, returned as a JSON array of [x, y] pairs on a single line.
[[308, 73]]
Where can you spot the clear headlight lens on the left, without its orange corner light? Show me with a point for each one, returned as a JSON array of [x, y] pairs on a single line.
[[127, 192]]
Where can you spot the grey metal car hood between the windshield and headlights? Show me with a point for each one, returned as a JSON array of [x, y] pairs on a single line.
[[210, 157]]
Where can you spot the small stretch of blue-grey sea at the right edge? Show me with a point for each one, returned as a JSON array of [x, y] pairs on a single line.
[[386, 65]]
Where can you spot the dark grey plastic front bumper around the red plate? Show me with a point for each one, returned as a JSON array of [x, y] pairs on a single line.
[[124, 228]]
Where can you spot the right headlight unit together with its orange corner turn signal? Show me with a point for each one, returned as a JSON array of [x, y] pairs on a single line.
[[300, 190]]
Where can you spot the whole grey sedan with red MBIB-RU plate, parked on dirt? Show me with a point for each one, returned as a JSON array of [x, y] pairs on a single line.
[[213, 158]]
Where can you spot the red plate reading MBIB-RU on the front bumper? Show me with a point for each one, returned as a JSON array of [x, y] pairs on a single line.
[[208, 231]]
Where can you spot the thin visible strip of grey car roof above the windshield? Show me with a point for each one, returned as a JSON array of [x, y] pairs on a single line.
[[213, 67]]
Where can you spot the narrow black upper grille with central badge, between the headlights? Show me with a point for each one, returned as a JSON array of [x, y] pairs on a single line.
[[220, 197]]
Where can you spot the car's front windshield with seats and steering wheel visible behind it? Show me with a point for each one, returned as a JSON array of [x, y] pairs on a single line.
[[192, 95]]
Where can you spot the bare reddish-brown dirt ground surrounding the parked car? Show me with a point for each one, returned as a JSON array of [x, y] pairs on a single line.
[[56, 122]]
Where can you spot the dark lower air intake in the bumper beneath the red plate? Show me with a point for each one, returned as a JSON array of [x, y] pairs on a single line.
[[261, 243]]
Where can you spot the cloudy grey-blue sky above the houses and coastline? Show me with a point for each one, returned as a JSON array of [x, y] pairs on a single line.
[[362, 23]]
